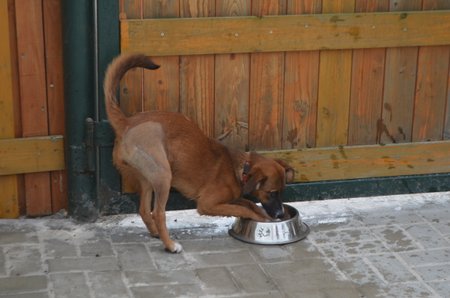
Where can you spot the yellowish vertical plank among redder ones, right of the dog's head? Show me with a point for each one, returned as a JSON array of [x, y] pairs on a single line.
[[334, 88]]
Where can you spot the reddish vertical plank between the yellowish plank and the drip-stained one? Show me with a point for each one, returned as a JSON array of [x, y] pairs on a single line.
[[367, 85]]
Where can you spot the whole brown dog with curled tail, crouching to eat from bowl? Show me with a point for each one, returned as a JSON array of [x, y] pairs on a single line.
[[160, 150]]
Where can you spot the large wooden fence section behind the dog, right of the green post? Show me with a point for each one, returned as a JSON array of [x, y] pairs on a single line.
[[342, 89]]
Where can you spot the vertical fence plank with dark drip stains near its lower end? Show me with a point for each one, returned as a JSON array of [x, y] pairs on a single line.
[[398, 96]]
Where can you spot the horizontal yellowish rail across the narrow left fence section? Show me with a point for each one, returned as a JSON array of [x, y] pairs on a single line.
[[30, 155]]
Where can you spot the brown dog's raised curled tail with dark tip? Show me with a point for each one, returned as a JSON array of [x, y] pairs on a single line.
[[116, 70]]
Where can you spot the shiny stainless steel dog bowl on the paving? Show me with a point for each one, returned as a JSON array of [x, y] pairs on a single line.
[[272, 232]]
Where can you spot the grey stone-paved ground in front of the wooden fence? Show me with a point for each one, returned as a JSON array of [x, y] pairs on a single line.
[[396, 246]]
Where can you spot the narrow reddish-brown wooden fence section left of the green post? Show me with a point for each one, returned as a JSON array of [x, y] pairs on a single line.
[[32, 109]]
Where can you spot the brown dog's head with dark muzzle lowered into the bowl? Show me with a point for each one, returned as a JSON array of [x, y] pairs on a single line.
[[265, 182]]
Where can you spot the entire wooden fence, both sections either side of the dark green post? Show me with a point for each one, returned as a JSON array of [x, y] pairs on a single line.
[[342, 89]]
